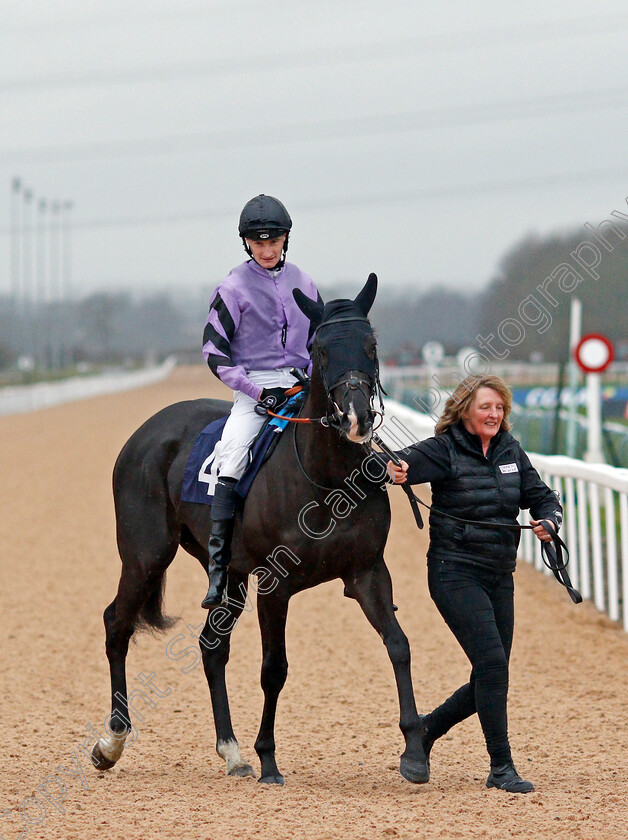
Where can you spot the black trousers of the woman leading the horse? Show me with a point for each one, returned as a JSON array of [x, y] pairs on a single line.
[[477, 605]]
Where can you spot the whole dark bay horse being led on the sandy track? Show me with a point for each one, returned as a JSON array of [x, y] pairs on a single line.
[[317, 511]]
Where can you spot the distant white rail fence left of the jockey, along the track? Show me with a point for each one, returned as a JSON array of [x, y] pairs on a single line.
[[23, 398]]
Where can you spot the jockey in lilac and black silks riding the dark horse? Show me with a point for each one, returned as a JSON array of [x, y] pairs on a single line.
[[254, 334]]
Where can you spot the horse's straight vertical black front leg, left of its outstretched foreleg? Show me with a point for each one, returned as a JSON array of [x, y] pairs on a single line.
[[272, 613]]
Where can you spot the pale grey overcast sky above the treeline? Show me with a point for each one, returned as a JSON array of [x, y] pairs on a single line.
[[416, 139]]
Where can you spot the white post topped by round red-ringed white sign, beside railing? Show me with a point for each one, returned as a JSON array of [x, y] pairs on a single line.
[[593, 354]]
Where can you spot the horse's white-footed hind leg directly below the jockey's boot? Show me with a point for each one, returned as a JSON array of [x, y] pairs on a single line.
[[215, 642]]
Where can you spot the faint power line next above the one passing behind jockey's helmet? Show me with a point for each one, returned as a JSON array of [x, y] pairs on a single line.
[[381, 124]]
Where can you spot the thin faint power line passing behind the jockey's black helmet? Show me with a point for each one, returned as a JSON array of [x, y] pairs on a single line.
[[393, 196]]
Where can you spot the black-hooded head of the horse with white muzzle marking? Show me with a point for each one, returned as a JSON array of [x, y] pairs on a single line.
[[344, 355]]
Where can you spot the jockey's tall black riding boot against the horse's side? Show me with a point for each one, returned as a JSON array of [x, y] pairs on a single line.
[[221, 531]]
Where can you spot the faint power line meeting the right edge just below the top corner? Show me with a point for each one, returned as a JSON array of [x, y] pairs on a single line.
[[345, 54]]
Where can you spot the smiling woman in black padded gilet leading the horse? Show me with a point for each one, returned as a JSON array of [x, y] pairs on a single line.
[[478, 471]]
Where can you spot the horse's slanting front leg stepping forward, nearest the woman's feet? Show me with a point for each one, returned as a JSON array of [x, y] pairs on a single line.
[[373, 591]]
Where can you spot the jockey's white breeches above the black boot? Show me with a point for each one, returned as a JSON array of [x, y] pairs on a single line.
[[243, 423]]
